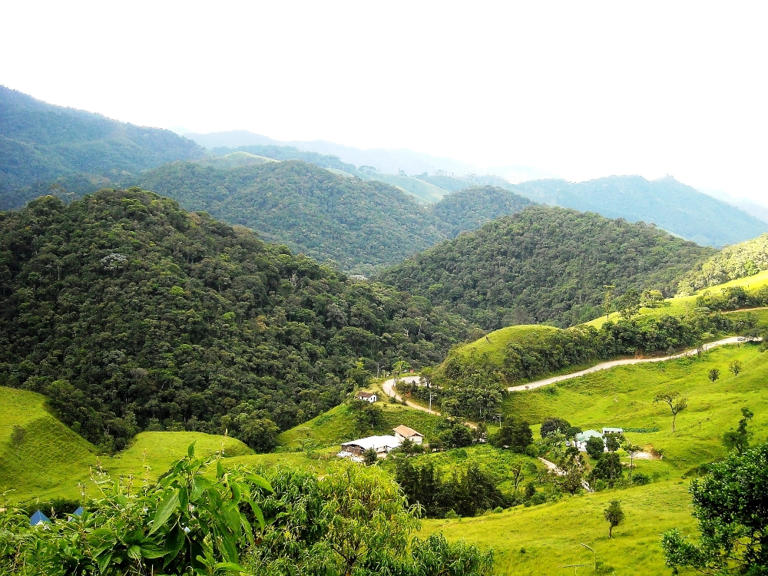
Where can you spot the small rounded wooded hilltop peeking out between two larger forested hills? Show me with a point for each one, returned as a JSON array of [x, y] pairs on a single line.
[[471, 208]]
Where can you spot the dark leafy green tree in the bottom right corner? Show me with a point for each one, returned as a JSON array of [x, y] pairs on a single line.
[[731, 506]]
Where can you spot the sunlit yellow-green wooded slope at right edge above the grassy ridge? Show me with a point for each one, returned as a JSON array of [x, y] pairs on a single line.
[[732, 262]]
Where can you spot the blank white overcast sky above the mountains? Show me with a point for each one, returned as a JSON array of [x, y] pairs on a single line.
[[567, 89]]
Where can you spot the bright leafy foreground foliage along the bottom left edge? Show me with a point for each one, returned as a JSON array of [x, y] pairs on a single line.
[[352, 522]]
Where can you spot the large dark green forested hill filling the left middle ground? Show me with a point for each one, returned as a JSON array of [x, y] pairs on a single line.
[[130, 313]]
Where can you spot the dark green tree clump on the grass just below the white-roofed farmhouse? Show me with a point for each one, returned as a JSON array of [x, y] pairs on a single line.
[[464, 492]]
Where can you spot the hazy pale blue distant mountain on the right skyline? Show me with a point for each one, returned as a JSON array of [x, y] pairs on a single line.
[[670, 205]]
